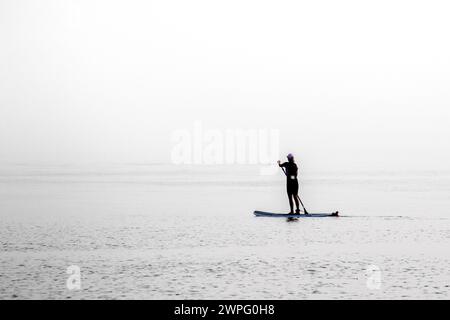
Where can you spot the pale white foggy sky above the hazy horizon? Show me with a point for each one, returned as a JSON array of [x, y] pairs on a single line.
[[349, 84]]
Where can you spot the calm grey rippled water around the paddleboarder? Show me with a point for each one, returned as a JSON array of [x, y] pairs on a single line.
[[163, 232]]
